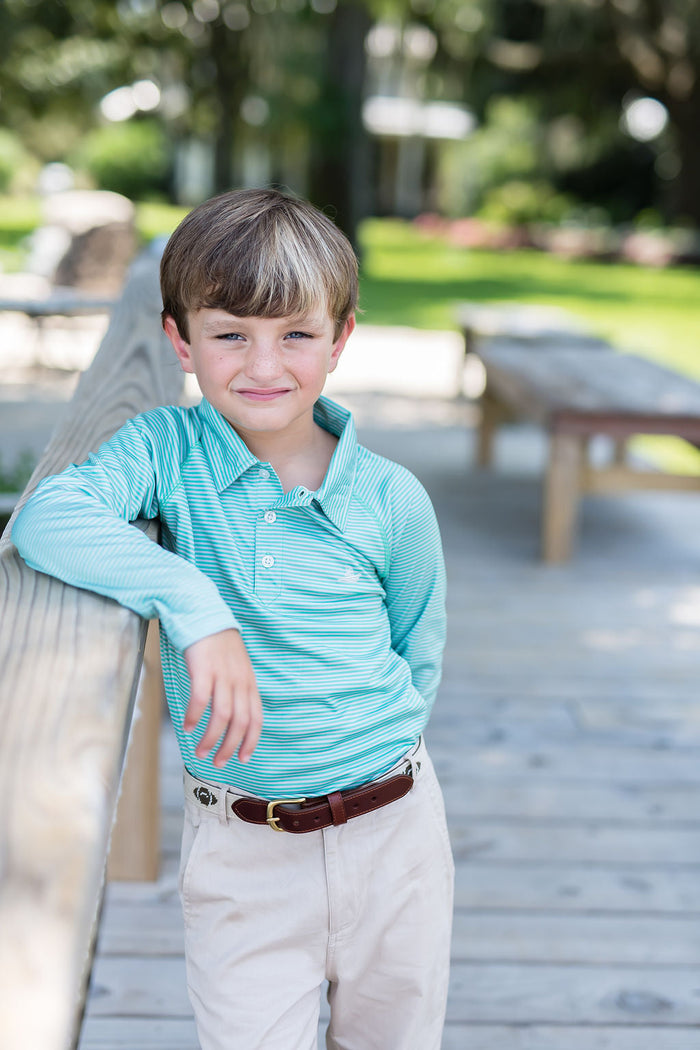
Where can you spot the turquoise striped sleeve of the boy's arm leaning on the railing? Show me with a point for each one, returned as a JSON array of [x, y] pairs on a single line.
[[76, 527]]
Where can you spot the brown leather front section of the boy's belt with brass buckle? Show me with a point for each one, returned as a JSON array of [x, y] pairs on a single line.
[[301, 815]]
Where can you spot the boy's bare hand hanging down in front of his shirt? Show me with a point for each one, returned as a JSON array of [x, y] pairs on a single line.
[[221, 673]]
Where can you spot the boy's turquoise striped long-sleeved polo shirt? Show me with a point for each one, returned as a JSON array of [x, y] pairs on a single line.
[[340, 594]]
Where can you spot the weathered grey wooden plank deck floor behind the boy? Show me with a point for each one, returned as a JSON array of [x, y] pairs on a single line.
[[567, 737]]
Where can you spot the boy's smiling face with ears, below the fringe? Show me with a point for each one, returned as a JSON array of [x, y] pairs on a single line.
[[263, 374]]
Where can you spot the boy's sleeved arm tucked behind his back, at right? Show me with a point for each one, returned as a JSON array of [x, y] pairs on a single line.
[[415, 589]]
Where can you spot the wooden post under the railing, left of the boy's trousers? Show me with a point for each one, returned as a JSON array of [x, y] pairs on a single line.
[[136, 847]]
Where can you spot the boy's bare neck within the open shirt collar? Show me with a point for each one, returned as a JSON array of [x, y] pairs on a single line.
[[302, 458]]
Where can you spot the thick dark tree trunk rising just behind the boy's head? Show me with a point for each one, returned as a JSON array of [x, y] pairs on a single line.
[[340, 177]]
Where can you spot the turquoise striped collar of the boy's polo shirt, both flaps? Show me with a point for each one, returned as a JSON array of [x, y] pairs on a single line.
[[230, 457]]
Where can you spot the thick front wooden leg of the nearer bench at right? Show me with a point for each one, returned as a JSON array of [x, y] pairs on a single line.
[[563, 487]]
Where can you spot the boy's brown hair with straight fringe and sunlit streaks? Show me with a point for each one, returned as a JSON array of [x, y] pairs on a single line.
[[258, 254]]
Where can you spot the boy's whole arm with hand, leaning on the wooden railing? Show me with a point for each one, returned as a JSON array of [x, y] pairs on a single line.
[[76, 527]]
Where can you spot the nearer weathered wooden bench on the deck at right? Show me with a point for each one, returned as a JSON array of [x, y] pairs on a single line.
[[579, 391]]
